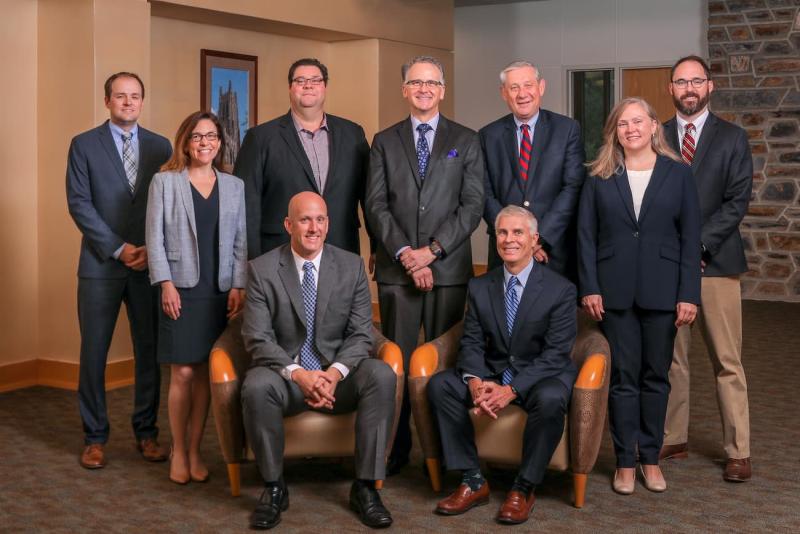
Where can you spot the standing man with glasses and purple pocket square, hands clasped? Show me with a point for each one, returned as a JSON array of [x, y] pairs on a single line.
[[424, 199]]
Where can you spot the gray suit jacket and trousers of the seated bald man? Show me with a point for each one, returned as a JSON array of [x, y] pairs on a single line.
[[274, 328]]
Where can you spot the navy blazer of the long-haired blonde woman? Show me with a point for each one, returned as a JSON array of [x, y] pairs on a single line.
[[653, 262]]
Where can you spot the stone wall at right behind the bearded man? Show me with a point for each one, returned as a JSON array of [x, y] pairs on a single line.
[[754, 51]]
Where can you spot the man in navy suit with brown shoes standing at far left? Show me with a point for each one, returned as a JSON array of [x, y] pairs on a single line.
[[108, 174]]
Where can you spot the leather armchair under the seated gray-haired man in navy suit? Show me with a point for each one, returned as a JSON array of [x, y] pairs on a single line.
[[500, 441]]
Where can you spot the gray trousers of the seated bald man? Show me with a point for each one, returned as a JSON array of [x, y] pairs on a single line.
[[369, 389]]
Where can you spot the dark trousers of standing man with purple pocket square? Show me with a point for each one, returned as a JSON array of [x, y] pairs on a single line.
[[404, 309]]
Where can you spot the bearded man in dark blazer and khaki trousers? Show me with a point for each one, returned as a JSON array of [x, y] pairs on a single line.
[[719, 154]]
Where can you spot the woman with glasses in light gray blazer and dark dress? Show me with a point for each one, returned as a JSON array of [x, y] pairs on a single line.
[[197, 254]]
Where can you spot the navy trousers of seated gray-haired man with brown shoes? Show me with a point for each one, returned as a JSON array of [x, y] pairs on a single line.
[[546, 405]]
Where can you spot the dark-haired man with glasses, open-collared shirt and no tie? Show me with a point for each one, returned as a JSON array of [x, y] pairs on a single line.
[[304, 150]]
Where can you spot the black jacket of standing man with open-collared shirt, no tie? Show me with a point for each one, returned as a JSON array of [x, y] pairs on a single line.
[[275, 167]]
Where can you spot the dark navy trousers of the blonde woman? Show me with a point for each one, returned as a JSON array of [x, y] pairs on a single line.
[[641, 343]]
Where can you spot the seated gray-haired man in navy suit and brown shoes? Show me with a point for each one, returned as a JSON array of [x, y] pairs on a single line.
[[519, 330]]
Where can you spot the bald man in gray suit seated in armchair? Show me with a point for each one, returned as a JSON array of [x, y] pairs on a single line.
[[310, 350]]
